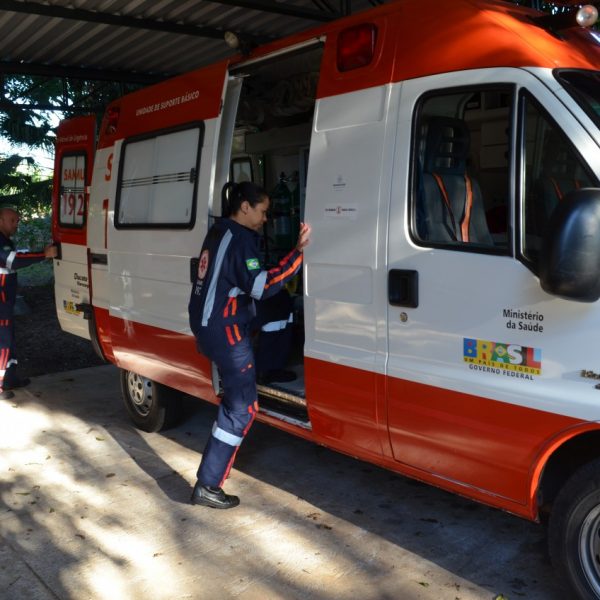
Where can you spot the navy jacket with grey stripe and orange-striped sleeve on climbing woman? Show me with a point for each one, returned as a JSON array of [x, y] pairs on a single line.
[[230, 277]]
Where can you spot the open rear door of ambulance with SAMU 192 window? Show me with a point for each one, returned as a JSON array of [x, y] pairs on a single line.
[[74, 157]]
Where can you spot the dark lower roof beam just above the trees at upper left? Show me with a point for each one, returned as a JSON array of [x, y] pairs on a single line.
[[19, 68]]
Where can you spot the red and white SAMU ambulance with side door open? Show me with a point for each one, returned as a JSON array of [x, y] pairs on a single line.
[[446, 322]]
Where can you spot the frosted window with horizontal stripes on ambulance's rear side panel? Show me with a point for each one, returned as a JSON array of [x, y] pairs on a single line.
[[158, 177]]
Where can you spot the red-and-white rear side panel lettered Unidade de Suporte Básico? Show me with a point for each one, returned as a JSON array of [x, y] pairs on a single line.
[[155, 216]]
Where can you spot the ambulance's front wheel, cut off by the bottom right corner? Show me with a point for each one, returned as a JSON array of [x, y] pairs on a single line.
[[574, 533]]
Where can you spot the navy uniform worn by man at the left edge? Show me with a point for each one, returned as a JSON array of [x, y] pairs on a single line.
[[10, 261]]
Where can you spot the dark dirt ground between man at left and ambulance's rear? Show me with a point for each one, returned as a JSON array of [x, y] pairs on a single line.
[[42, 347]]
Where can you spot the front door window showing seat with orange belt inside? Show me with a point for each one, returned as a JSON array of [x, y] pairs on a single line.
[[461, 170]]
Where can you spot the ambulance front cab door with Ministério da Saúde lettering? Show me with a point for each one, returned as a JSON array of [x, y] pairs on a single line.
[[474, 342]]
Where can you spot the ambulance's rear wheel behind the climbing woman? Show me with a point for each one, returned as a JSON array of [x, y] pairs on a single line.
[[151, 406]]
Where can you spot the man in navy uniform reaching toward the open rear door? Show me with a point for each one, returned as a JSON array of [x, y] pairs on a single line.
[[10, 261]]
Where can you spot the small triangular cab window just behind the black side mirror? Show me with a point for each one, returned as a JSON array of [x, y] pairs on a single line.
[[553, 168]]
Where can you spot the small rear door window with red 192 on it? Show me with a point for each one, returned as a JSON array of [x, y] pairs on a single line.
[[72, 190]]
